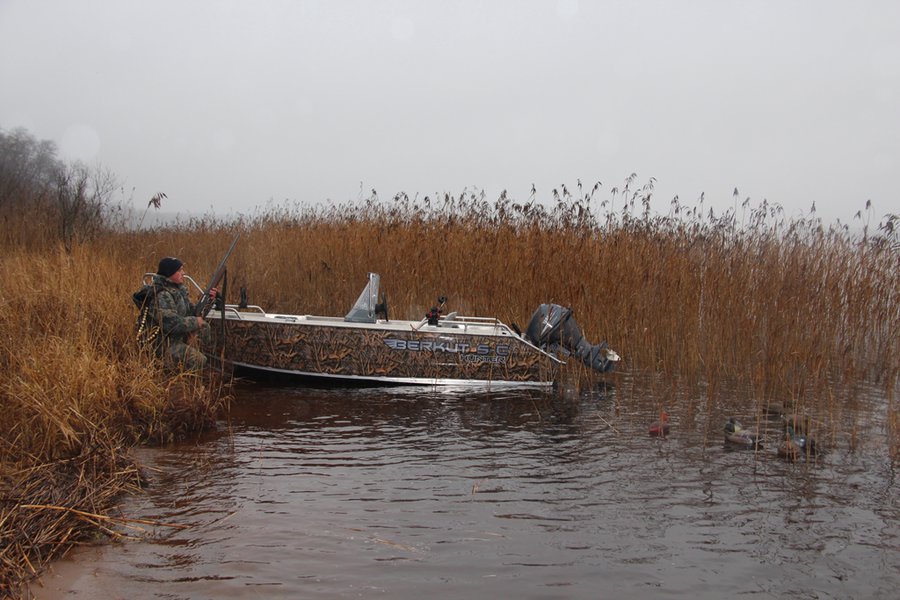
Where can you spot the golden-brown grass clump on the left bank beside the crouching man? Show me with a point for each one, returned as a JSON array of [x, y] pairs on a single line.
[[76, 394]]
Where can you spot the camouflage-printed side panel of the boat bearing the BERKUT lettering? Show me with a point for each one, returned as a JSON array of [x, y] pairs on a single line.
[[373, 353]]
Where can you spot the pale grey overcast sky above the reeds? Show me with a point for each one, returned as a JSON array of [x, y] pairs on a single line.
[[226, 106]]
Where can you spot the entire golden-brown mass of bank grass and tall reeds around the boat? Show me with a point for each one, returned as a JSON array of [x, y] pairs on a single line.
[[802, 314]]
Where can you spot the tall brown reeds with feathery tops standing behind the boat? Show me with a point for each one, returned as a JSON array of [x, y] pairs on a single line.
[[800, 313]]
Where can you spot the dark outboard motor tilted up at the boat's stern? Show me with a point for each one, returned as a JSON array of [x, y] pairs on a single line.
[[553, 328]]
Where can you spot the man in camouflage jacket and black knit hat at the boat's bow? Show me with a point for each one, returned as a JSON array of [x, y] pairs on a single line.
[[168, 322]]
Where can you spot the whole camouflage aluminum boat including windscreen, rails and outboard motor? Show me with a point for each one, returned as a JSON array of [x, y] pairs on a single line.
[[365, 347]]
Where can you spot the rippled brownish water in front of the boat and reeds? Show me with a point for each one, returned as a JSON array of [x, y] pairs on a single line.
[[407, 494]]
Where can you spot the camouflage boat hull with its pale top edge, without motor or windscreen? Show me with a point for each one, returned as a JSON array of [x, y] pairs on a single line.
[[395, 352]]
